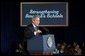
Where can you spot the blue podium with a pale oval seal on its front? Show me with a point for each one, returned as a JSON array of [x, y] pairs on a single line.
[[42, 44]]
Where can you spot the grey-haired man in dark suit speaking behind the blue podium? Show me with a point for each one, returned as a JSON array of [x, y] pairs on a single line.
[[32, 29]]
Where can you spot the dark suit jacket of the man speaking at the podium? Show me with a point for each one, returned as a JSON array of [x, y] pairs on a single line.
[[29, 31]]
